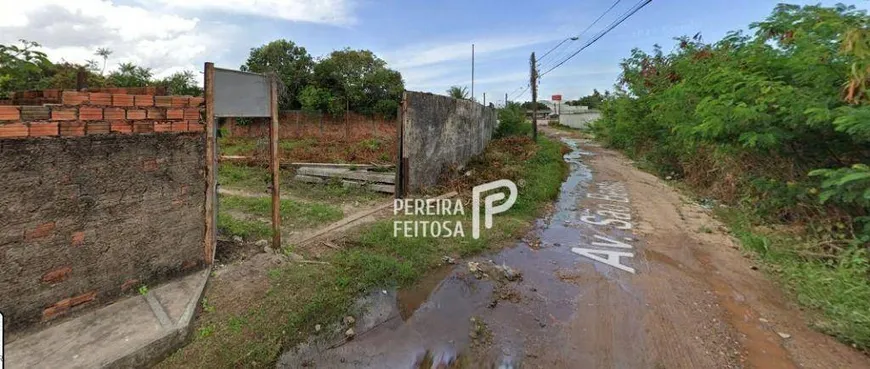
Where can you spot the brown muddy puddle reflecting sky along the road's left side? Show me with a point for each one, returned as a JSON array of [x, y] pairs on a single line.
[[460, 315]]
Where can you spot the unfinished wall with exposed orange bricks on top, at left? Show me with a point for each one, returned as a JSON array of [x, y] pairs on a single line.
[[98, 196]]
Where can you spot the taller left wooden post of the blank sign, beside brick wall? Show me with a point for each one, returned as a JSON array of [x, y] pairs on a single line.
[[211, 203]]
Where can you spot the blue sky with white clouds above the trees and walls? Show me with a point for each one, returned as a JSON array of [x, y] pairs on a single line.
[[429, 42]]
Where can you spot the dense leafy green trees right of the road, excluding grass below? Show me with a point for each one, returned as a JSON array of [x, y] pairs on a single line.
[[751, 115]]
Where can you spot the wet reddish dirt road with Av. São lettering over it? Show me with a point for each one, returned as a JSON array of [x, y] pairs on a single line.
[[623, 274]]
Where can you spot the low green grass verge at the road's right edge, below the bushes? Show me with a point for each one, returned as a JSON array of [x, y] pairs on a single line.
[[838, 288]]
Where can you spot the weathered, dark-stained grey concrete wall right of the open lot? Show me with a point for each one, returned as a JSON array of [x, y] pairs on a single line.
[[439, 132]]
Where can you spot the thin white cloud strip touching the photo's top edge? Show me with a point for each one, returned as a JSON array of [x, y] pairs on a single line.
[[334, 12]]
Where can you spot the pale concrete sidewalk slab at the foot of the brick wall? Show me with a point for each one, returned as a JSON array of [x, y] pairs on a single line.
[[133, 332]]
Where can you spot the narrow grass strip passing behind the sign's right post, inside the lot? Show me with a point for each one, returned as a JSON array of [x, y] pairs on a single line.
[[291, 211]]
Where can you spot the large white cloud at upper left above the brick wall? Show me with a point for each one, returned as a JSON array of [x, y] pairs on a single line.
[[72, 30]]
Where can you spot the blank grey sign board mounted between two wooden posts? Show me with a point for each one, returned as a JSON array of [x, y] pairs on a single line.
[[241, 94]]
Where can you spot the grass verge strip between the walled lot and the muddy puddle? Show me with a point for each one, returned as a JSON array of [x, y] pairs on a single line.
[[301, 296]]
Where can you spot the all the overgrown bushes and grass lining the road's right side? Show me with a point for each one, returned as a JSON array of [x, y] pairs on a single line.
[[776, 124]]
